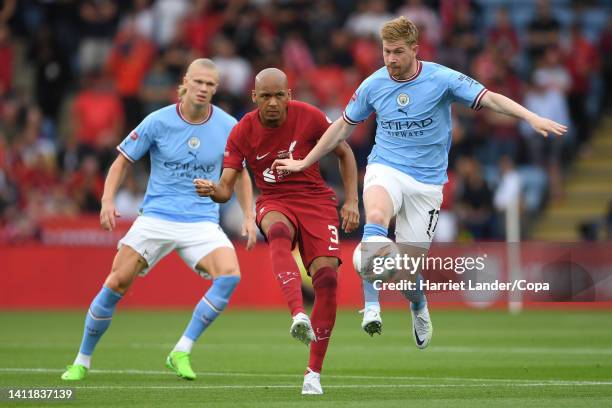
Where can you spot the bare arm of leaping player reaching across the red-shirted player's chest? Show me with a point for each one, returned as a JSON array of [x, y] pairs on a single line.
[[338, 131]]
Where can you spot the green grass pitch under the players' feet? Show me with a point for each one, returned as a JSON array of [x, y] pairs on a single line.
[[477, 358]]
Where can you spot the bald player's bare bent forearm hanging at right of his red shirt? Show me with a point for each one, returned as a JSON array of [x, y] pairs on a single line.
[[348, 171]]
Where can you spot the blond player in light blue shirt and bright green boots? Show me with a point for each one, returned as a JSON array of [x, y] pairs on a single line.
[[185, 141]]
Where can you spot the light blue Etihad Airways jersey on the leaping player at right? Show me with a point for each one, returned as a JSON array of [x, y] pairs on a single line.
[[413, 117]]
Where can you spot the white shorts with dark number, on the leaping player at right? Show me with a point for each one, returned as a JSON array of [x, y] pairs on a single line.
[[416, 205]]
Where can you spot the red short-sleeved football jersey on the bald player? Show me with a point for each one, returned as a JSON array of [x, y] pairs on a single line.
[[259, 146]]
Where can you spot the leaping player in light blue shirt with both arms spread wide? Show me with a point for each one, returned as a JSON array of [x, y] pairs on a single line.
[[407, 166]]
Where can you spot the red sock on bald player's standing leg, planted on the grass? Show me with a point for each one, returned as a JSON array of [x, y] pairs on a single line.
[[323, 314]]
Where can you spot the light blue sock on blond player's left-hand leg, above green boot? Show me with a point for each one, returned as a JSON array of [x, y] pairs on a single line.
[[98, 318]]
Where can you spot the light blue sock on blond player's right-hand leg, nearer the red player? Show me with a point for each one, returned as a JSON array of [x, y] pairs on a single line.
[[211, 305]]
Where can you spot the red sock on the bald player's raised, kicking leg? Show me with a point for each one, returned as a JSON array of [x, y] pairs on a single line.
[[284, 267]]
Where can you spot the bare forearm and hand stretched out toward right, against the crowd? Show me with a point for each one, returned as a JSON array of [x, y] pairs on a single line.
[[502, 104]]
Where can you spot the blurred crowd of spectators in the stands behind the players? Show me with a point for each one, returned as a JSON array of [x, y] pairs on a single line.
[[77, 76]]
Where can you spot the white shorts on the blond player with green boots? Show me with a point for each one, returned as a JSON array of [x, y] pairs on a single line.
[[154, 238]]
